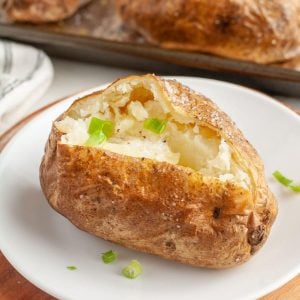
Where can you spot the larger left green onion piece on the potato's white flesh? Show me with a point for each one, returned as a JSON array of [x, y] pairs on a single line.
[[99, 131]]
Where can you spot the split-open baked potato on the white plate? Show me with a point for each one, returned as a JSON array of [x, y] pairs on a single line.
[[154, 166]]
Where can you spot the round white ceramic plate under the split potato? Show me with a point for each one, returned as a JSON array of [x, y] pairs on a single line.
[[40, 243]]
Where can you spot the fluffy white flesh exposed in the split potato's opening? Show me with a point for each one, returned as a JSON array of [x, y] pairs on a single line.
[[183, 142]]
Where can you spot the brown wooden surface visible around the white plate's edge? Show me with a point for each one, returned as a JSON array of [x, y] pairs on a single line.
[[13, 286]]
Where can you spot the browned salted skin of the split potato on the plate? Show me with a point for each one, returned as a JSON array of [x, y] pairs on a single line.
[[157, 207]]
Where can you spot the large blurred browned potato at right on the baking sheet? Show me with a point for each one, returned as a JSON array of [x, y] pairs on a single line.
[[261, 31]]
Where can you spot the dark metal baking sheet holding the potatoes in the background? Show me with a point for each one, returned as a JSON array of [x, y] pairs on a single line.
[[96, 34]]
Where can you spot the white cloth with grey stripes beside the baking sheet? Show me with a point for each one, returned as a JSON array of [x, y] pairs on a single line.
[[25, 75]]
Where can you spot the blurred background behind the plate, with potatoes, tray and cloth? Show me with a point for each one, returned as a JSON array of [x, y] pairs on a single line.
[[78, 44]]
